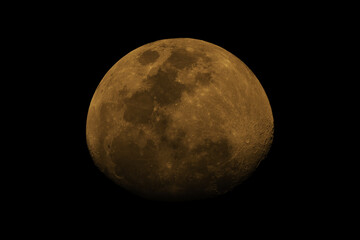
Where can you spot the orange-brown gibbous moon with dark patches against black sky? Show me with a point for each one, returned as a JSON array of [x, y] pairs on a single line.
[[179, 119]]
